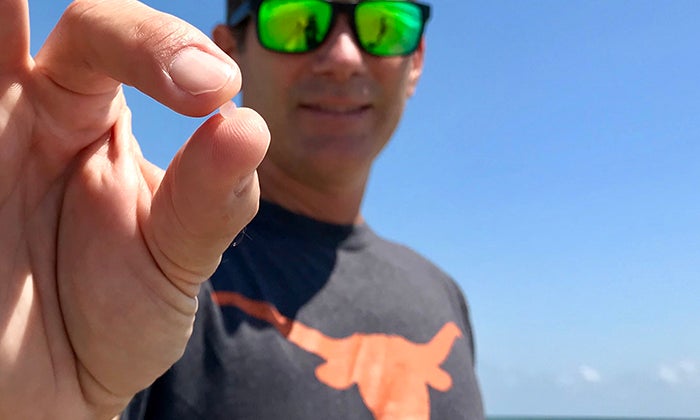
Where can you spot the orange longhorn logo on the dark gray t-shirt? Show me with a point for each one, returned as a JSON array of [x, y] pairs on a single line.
[[391, 373]]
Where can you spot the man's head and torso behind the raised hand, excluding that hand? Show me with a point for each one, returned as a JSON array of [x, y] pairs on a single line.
[[312, 315]]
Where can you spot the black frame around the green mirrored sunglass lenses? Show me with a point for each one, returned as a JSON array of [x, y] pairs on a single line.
[[250, 7]]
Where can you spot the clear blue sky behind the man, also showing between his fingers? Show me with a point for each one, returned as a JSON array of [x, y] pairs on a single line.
[[549, 162]]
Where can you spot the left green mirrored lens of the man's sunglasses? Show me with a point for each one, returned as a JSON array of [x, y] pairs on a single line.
[[293, 26]]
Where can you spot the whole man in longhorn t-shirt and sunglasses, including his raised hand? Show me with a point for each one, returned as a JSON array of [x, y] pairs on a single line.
[[309, 316]]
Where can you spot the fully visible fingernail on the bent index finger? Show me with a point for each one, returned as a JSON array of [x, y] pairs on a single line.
[[198, 72]]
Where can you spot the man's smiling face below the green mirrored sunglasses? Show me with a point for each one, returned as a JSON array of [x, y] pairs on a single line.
[[330, 111]]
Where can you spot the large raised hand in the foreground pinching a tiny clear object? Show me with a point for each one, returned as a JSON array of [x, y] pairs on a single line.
[[102, 253]]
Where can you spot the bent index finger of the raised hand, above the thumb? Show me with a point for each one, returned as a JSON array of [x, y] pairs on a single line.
[[99, 43]]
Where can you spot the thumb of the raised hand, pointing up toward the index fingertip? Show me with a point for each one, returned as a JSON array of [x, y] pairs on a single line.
[[208, 194]]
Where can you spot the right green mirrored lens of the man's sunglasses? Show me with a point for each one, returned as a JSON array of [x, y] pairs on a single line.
[[389, 27]]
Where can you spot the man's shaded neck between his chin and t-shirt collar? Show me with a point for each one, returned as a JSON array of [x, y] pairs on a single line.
[[322, 200]]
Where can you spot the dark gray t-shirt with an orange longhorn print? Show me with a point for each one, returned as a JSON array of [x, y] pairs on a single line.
[[309, 320]]
